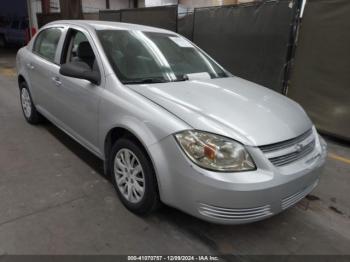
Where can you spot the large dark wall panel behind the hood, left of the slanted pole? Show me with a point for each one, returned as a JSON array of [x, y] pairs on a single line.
[[251, 41]]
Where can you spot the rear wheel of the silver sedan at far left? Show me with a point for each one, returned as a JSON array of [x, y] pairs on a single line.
[[29, 111]]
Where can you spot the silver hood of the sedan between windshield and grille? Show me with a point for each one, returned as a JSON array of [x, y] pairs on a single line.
[[232, 107]]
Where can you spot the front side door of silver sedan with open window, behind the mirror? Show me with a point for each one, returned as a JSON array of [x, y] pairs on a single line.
[[78, 99]]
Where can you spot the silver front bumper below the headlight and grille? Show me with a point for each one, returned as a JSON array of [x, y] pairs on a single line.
[[233, 198]]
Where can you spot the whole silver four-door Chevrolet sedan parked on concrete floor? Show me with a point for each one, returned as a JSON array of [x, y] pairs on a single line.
[[170, 123]]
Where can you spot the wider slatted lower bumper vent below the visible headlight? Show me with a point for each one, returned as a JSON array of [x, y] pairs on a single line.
[[234, 213]]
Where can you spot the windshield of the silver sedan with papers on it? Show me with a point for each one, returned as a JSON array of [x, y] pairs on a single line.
[[150, 57]]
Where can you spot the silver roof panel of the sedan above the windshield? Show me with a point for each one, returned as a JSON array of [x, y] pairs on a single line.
[[105, 25]]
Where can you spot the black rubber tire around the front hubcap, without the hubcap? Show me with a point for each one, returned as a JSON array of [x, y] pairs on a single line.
[[150, 200]]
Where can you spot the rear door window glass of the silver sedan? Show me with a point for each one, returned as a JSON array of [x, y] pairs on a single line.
[[46, 43]]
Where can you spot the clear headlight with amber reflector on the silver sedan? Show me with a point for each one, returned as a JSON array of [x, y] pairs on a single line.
[[215, 152]]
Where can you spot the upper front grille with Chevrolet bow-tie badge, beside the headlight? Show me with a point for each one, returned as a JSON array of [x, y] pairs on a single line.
[[289, 151]]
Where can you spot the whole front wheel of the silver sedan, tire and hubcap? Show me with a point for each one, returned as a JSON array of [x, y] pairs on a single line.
[[134, 177]]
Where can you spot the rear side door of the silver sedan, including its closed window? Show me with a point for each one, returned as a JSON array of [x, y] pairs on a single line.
[[42, 66]]
